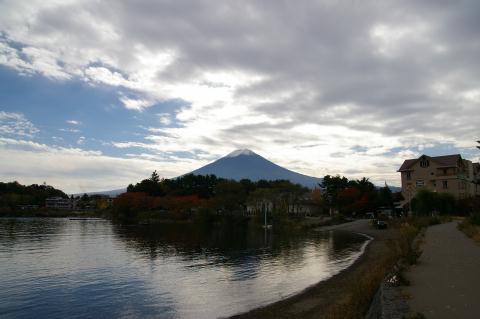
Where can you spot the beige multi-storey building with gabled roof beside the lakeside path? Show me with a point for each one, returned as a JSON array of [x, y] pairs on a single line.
[[442, 174]]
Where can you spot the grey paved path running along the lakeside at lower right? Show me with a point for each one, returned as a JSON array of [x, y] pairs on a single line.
[[446, 281]]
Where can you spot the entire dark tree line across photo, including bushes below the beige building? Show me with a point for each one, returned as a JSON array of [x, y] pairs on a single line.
[[197, 197]]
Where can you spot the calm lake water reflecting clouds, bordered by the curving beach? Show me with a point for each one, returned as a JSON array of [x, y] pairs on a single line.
[[58, 268]]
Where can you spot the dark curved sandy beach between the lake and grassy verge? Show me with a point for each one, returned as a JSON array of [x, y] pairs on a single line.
[[315, 301]]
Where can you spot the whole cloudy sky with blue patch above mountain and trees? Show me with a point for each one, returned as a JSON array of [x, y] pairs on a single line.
[[97, 94]]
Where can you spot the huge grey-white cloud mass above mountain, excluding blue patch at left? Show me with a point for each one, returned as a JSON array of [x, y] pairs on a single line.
[[388, 76]]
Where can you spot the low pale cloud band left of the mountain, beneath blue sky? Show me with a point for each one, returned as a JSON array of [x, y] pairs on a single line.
[[75, 170]]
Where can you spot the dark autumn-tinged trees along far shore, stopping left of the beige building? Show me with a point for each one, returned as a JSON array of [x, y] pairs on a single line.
[[208, 200]]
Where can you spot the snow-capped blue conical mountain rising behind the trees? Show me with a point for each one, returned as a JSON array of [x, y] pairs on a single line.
[[245, 164]]
